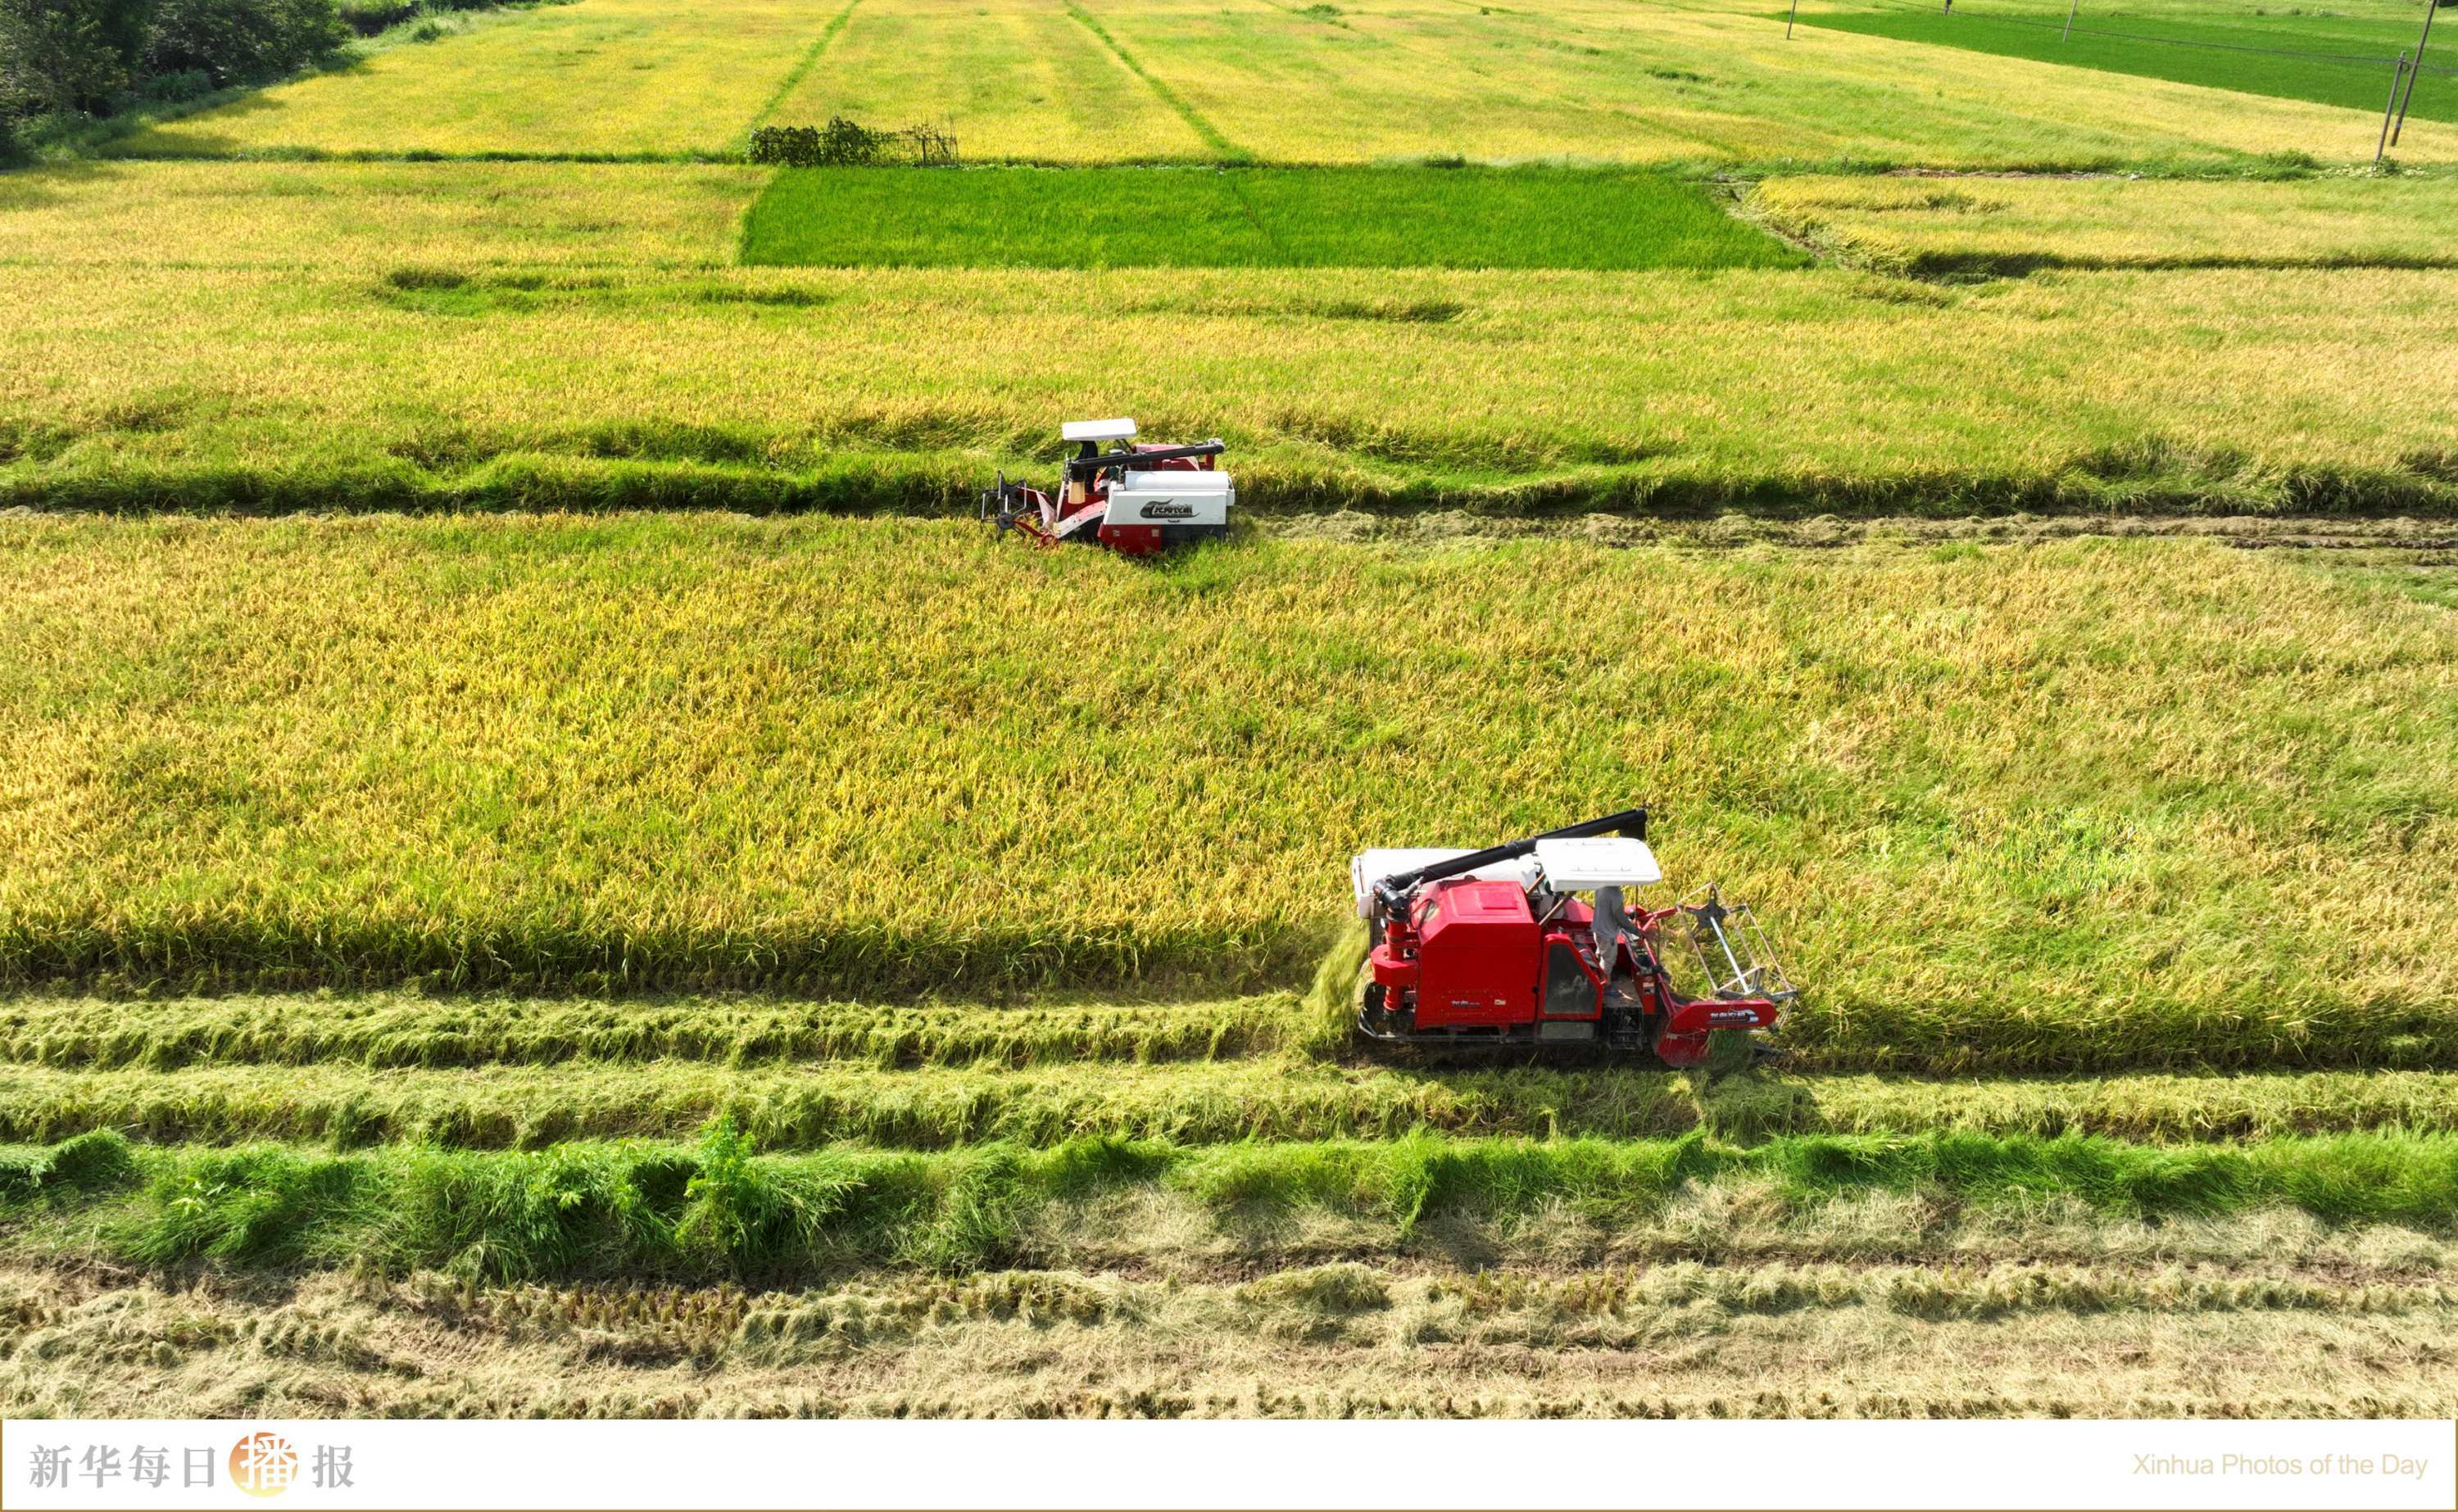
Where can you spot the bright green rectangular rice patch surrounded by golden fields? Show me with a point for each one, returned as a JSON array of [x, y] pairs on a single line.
[[1363, 218]]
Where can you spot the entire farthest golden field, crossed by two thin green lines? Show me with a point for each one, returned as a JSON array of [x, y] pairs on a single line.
[[1211, 80]]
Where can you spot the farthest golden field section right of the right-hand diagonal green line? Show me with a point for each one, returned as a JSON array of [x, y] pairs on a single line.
[[1592, 80]]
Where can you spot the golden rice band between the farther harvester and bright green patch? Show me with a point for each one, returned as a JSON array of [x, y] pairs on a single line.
[[574, 336]]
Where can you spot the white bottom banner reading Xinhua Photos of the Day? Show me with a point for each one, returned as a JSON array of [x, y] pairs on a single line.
[[1228, 1464]]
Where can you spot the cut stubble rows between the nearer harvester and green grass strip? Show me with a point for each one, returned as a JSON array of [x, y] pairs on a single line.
[[1277, 1098]]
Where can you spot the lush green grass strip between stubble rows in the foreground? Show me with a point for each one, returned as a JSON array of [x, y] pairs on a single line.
[[719, 1208]]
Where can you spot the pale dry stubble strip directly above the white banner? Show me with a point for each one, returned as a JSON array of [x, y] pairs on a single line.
[[1333, 1341]]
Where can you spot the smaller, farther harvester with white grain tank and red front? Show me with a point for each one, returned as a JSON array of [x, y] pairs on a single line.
[[1137, 500]]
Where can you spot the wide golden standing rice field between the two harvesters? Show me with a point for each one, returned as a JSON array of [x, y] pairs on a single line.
[[2066, 808]]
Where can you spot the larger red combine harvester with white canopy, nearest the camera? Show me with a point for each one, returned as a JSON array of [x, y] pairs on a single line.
[[1493, 950]]
